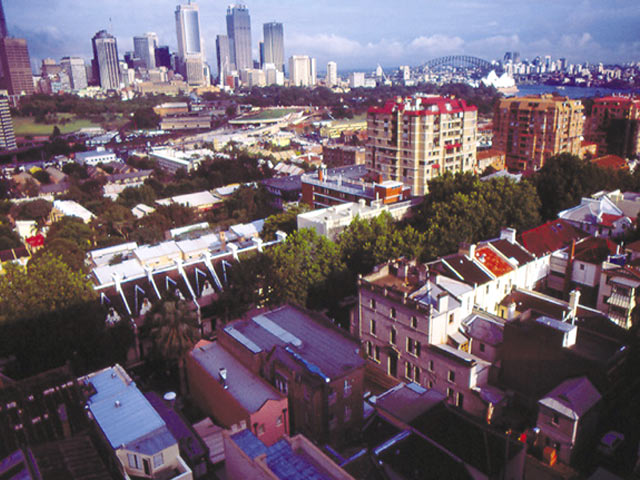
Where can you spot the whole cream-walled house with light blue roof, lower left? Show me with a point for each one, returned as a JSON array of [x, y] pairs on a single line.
[[132, 428]]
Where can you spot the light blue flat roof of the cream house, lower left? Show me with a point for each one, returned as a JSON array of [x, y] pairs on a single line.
[[125, 416]]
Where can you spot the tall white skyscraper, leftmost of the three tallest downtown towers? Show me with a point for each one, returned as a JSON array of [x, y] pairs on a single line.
[[190, 49]]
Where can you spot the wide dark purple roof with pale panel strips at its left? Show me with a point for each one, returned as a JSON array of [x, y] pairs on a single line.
[[324, 350]]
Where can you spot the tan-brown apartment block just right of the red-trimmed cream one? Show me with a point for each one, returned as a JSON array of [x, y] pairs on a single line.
[[531, 129]]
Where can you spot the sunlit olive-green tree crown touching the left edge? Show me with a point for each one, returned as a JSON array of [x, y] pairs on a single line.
[[47, 284]]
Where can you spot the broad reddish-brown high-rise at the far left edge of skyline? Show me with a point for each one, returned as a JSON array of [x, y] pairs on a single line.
[[16, 66]]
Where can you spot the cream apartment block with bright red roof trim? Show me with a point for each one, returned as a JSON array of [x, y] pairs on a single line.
[[414, 139]]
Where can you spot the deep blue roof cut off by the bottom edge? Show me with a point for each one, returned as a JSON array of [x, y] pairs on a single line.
[[281, 459]]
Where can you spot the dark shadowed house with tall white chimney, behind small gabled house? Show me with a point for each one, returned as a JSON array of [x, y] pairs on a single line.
[[547, 340]]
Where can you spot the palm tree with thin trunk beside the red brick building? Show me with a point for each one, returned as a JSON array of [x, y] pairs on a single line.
[[175, 331]]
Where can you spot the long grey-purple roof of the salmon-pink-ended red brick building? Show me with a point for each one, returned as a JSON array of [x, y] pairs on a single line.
[[246, 387]]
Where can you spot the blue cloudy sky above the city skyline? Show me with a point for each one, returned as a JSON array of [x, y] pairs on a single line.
[[357, 34]]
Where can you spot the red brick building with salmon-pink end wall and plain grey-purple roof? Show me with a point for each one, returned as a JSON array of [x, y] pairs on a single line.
[[233, 395]]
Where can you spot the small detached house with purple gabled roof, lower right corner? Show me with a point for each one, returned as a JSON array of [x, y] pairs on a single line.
[[567, 417]]
